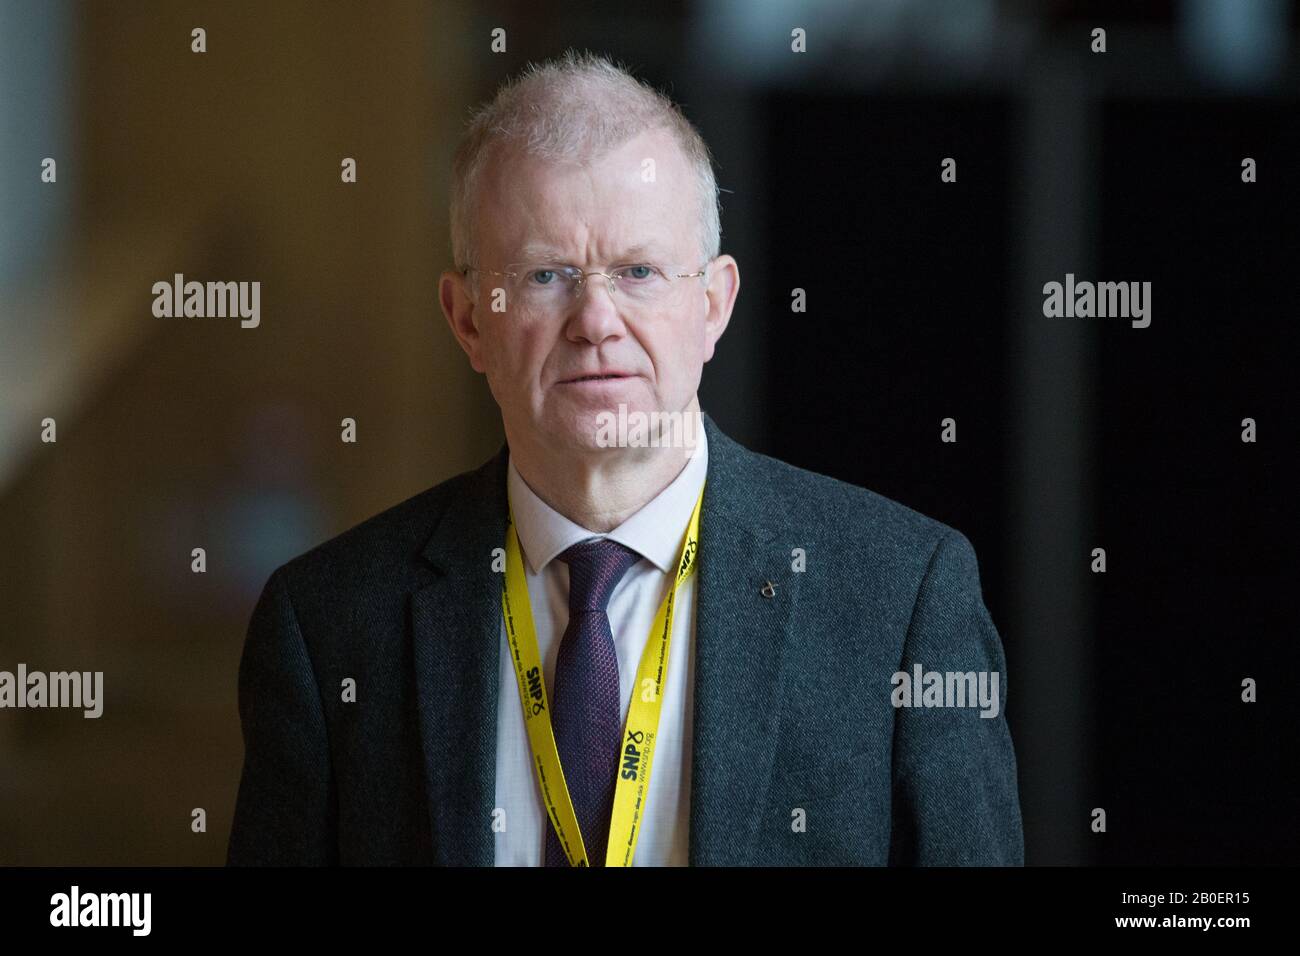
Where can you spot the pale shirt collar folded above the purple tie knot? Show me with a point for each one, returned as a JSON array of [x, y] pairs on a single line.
[[655, 533]]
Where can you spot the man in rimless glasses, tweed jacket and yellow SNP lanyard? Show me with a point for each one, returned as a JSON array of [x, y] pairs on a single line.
[[606, 646]]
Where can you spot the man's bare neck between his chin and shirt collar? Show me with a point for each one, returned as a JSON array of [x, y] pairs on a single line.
[[601, 490]]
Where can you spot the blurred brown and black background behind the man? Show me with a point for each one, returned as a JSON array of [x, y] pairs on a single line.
[[925, 301]]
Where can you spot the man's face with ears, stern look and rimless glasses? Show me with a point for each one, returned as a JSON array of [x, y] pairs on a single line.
[[600, 217]]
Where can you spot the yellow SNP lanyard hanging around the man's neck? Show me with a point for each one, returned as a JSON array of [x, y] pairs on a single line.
[[631, 794]]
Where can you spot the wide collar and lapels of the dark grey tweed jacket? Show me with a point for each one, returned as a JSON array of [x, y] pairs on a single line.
[[742, 639]]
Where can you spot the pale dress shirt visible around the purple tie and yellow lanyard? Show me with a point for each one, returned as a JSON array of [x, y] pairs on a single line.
[[656, 534]]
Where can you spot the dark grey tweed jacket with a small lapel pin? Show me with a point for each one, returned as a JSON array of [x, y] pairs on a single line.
[[800, 754]]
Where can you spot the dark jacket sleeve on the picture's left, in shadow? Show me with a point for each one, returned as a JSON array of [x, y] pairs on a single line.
[[285, 812]]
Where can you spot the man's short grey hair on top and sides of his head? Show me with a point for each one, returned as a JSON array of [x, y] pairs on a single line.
[[534, 115]]
